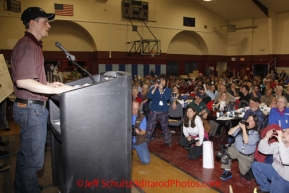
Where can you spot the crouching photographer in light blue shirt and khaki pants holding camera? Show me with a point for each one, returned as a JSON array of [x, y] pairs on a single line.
[[246, 138]]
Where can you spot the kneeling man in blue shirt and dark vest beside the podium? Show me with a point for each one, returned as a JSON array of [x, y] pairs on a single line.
[[138, 134]]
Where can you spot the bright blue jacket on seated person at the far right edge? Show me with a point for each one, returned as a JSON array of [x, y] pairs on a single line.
[[276, 118]]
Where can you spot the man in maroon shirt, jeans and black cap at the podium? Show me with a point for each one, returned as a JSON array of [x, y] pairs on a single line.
[[31, 89]]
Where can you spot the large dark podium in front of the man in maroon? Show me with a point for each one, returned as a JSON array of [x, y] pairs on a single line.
[[91, 135]]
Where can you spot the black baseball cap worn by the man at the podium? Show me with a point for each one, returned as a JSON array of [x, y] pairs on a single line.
[[32, 13]]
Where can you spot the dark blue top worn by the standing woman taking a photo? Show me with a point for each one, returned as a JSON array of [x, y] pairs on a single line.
[[157, 97]]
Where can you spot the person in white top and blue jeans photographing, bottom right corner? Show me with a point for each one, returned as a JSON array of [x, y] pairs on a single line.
[[273, 177]]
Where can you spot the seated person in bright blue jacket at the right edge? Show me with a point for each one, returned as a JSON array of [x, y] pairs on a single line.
[[280, 115]]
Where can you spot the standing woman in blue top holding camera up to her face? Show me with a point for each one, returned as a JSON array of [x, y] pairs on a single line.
[[160, 96]]
